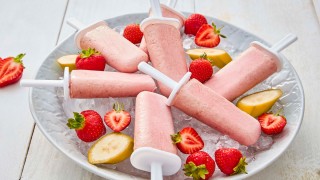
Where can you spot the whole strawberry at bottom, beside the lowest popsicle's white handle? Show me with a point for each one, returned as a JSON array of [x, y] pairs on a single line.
[[199, 165]]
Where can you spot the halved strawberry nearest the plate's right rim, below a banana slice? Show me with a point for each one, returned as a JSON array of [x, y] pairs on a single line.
[[272, 123]]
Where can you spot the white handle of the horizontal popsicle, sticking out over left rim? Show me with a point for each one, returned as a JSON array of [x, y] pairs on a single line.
[[50, 83]]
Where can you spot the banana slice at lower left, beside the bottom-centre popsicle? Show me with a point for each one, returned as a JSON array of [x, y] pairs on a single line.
[[110, 149]]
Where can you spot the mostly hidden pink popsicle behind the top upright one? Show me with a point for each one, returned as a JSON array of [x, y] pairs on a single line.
[[167, 11]]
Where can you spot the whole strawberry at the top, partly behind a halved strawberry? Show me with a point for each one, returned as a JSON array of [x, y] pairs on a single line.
[[193, 23]]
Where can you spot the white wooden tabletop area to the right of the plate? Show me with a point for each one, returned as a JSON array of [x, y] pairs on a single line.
[[271, 20]]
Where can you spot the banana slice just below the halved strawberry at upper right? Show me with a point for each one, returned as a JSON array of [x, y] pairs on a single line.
[[218, 57]]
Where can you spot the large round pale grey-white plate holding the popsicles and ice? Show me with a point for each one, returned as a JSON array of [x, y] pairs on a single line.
[[50, 115]]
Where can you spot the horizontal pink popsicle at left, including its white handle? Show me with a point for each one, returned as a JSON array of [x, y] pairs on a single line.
[[97, 84]]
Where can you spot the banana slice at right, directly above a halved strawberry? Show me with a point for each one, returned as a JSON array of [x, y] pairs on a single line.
[[260, 102]]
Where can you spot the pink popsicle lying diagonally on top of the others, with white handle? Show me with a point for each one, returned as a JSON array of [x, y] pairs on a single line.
[[202, 103]]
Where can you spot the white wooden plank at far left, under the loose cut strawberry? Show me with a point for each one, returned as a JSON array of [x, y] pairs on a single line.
[[22, 31]]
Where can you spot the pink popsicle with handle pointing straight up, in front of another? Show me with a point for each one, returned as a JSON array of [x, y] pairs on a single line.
[[164, 45]]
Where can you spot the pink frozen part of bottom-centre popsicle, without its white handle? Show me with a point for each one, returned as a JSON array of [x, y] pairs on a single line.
[[153, 123]]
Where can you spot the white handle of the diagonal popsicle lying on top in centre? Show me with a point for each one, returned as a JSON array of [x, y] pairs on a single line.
[[151, 71]]
